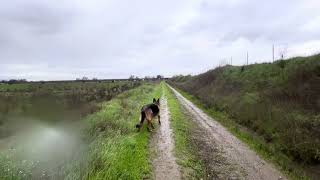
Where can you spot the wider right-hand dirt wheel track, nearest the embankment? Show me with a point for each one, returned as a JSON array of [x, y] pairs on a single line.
[[233, 149]]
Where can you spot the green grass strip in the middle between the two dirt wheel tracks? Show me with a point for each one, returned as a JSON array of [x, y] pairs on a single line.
[[182, 126]]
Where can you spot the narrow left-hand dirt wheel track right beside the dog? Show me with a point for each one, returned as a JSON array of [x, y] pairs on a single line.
[[164, 163]]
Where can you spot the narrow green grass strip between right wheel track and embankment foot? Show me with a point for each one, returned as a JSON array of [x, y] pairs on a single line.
[[255, 142]]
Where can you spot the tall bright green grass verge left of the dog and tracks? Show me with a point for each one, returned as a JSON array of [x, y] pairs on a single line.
[[118, 151]]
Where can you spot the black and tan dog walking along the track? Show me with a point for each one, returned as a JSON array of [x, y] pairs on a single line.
[[148, 112]]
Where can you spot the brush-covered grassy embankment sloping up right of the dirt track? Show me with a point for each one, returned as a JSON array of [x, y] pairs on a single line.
[[273, 107]]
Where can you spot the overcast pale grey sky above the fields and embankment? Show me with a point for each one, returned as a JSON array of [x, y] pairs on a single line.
[[51, 39]]
